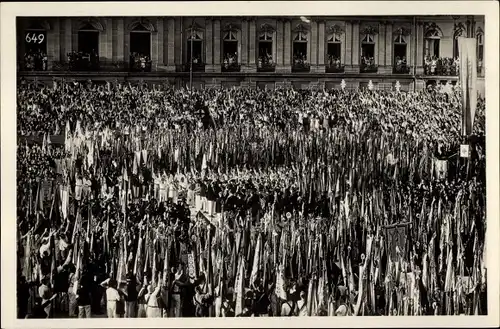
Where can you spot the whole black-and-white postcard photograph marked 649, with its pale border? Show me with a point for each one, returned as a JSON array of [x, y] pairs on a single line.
[[211, 166]]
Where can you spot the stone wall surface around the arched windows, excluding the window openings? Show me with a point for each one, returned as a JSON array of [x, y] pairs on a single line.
[[169, 43]]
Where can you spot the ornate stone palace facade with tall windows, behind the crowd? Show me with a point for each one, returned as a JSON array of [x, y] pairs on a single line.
[[258, 52]]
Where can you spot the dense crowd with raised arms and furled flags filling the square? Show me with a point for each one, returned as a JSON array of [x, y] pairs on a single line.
[[165, 203]]
